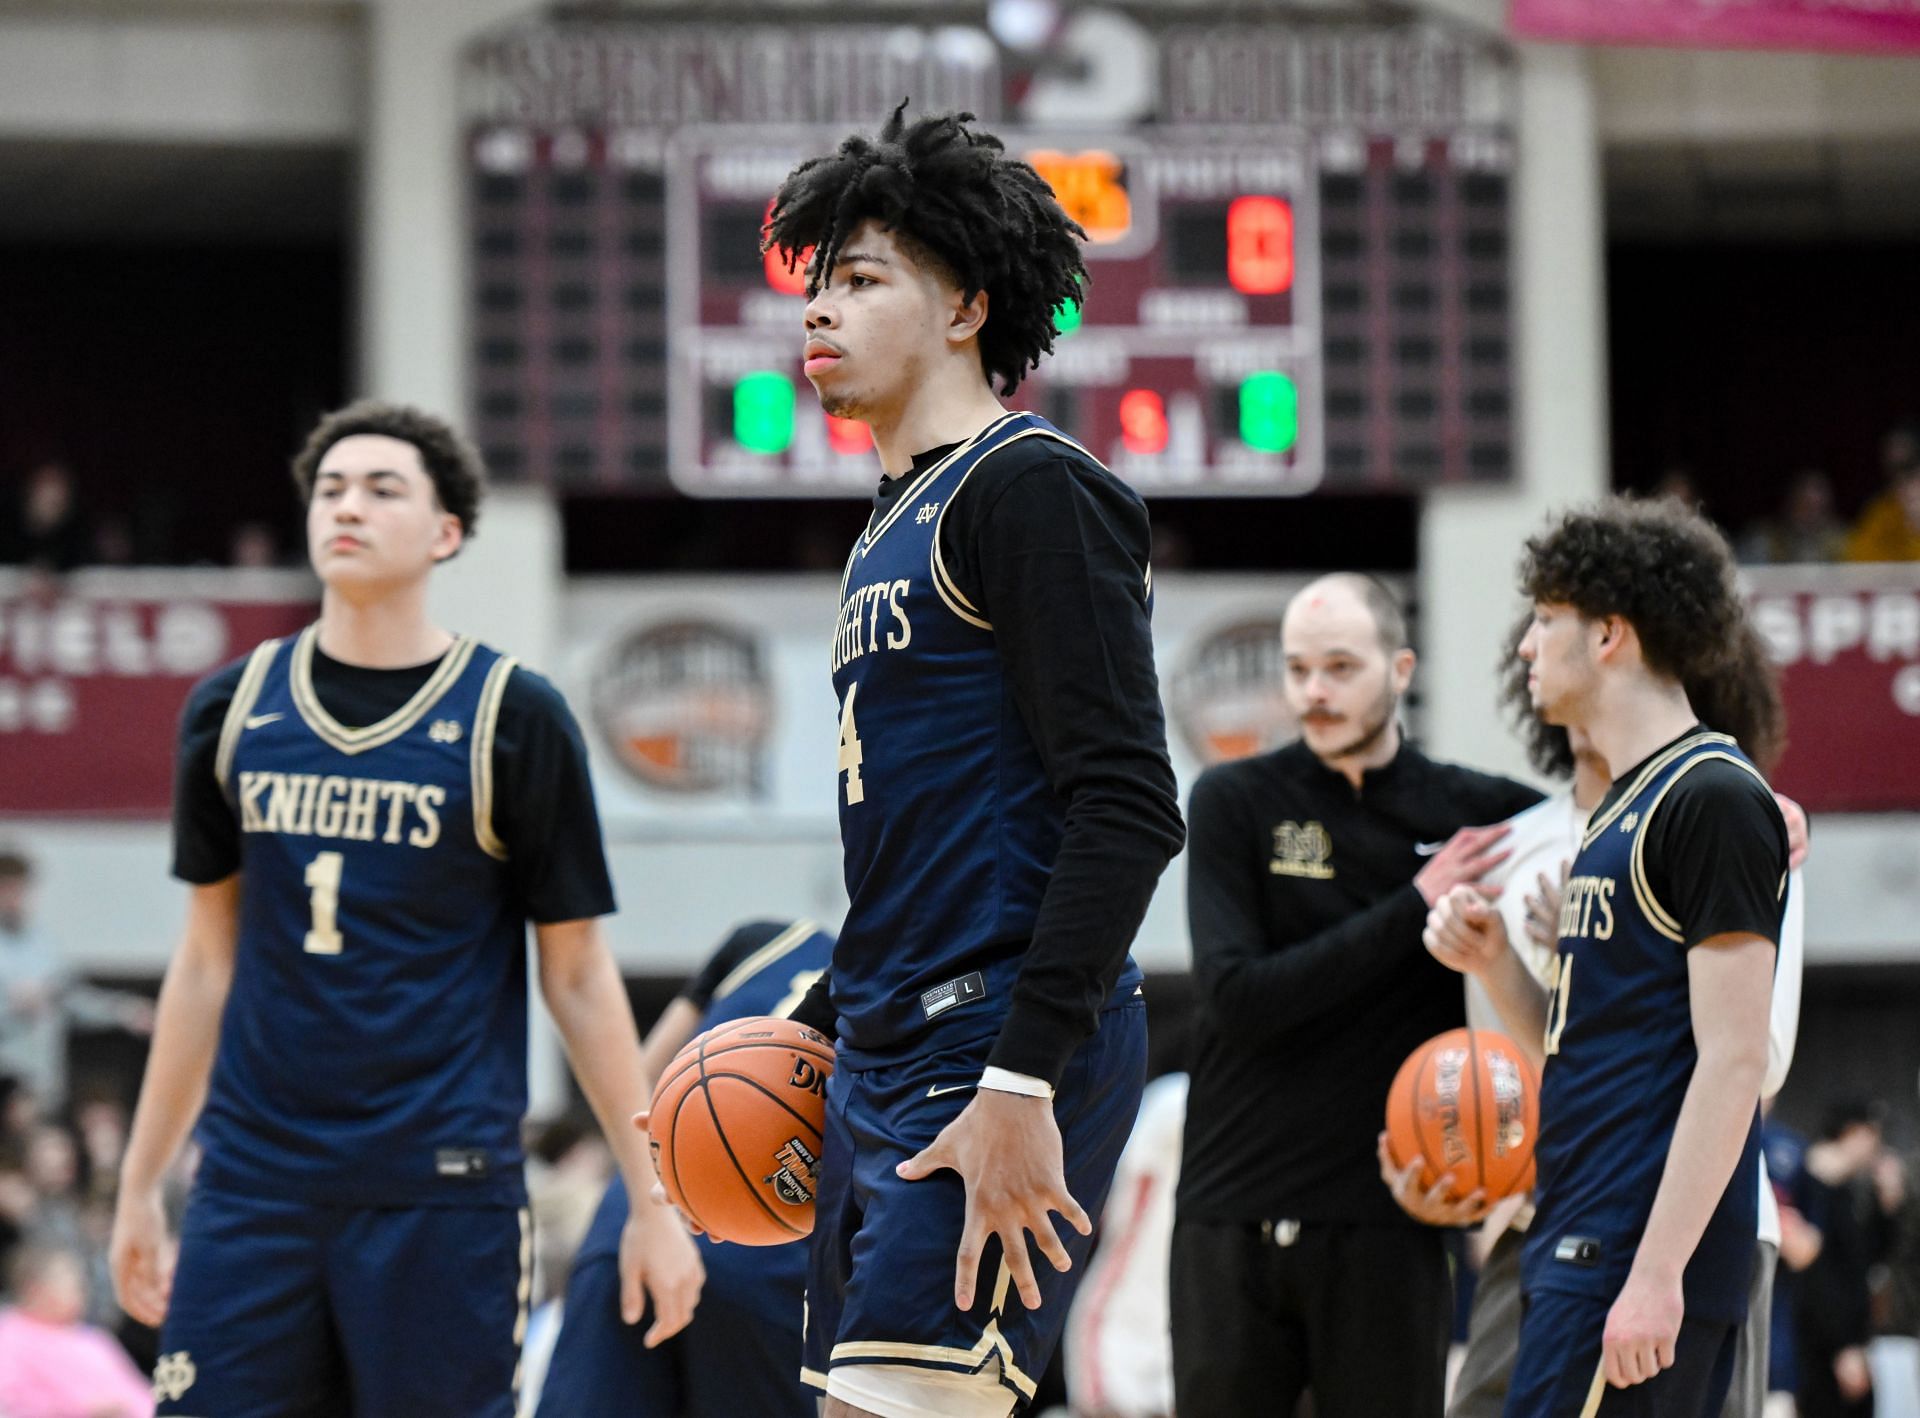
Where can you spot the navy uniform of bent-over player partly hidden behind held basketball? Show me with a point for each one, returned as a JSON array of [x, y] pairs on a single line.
[[742, 1352]]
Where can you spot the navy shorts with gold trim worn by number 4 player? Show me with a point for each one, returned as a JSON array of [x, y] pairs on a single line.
[[880, 1285]]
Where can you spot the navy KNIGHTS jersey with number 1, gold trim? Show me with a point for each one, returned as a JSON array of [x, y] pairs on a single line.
[[373, 1051]]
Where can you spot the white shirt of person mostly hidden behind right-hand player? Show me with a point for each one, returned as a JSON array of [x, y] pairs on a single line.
[[1548, 838]]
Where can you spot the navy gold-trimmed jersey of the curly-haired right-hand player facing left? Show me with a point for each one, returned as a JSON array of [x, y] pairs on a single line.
[[1621, 1054]]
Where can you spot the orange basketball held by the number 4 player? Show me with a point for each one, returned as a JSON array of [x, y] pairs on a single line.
[[736, 1129]]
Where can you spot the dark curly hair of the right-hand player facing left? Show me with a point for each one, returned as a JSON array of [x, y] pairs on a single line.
[[1658, 565]]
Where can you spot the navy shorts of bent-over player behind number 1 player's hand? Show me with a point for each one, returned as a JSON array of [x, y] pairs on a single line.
[[740, 1356]]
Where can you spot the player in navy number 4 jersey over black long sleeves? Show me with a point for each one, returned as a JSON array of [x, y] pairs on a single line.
[[1005, 792]]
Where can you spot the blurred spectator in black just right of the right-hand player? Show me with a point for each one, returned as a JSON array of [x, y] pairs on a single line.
[[1833, 1313]]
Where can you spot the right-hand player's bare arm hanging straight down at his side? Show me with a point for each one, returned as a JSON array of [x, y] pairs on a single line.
[[1731, 985]]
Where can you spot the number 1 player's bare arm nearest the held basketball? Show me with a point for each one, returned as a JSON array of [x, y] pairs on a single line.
[[588, 1003]]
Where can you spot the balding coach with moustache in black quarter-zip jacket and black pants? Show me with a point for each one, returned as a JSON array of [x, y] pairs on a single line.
[[1310, 876]]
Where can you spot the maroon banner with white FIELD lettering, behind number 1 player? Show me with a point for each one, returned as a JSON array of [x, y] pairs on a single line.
[[95, 669]]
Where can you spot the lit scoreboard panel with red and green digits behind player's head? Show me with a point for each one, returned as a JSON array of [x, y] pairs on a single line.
[[1184, 364]]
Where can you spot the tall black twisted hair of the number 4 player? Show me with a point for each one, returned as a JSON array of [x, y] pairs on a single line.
[[959, 204]]
